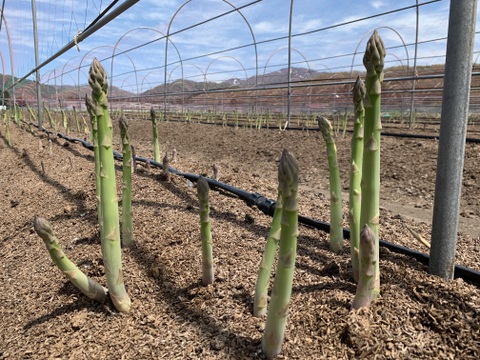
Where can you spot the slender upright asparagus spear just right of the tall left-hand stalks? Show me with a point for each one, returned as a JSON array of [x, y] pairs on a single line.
[[127, 222]]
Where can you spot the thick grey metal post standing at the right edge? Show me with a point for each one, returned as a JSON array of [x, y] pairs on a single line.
[[451, 148]]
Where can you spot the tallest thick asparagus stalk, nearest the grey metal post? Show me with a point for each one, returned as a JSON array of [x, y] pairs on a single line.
[[374, 63]]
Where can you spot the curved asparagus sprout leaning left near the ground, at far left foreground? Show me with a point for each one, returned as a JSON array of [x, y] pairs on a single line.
[[85, 284]]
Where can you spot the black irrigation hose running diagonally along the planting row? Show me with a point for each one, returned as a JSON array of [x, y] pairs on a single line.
[[267, 206]]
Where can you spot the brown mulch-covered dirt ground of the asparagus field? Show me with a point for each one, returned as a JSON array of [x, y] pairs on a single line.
[[173, 316]]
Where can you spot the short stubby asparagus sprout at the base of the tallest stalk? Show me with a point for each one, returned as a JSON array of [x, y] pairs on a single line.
[[366, 281]]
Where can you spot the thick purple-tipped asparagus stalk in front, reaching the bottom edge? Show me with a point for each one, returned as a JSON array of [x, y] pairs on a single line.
[[282, 287]]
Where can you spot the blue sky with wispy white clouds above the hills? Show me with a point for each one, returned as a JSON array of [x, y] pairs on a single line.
[[219, 49]]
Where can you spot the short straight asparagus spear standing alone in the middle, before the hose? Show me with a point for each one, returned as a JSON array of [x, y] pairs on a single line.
[[203, 190]]
